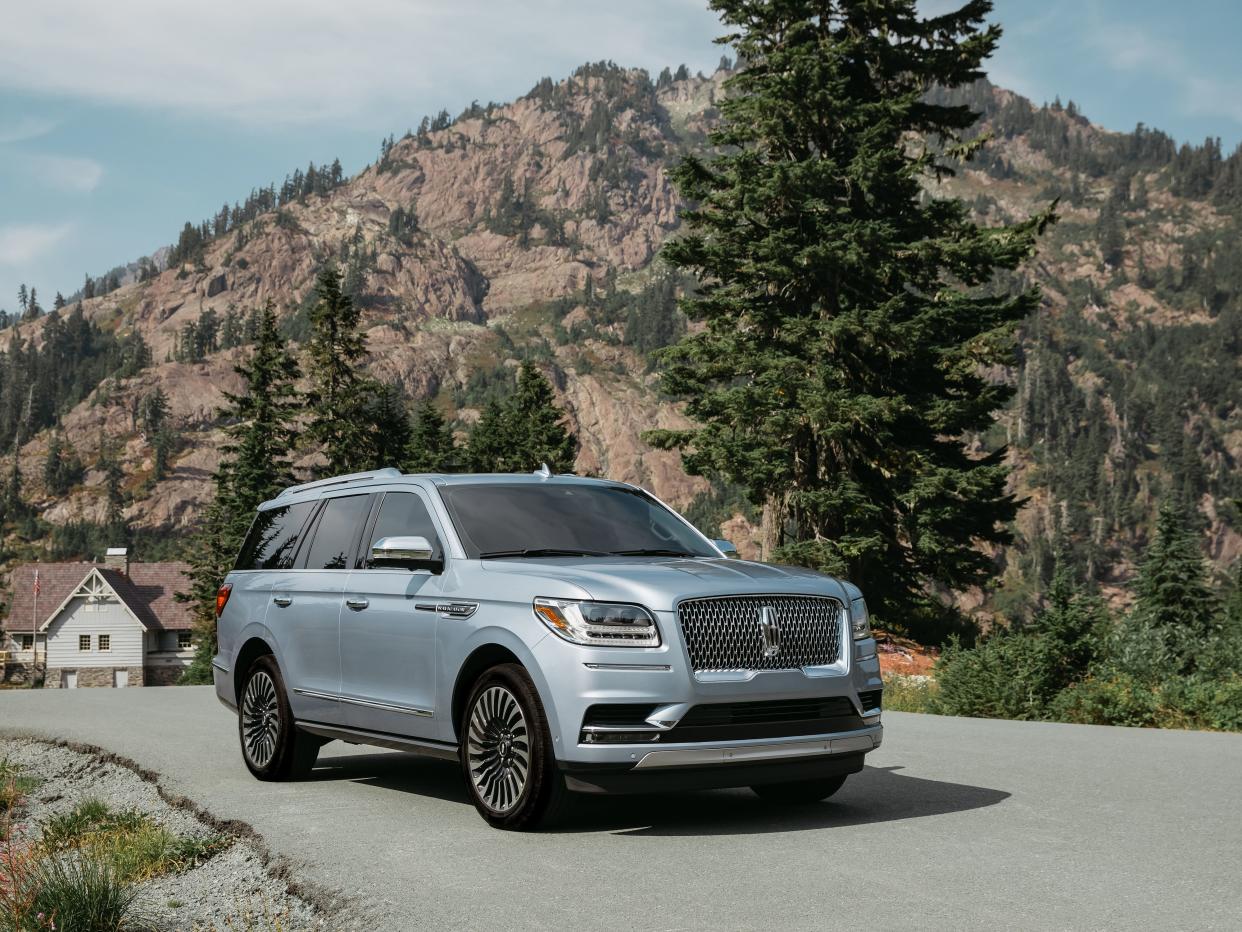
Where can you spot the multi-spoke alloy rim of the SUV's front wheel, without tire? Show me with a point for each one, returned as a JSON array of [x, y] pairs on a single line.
[[499, 749]]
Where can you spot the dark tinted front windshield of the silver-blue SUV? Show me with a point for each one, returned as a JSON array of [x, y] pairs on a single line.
[[561, 520]]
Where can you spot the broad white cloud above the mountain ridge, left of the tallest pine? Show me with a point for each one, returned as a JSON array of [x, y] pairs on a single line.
[[309, 60]]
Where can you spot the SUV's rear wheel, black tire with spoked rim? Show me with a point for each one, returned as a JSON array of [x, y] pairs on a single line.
[[271, 745]]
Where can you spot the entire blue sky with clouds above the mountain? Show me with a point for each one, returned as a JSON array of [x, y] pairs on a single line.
[[121, 121]]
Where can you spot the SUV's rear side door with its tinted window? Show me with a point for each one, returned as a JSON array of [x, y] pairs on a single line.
[[306, 607]]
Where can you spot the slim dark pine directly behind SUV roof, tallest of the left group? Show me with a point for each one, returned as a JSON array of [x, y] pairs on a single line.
[[340, 395]]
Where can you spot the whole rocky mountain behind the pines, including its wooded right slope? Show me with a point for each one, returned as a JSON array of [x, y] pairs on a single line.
[[532, 231]]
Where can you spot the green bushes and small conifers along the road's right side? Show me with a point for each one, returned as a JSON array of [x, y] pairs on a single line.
[[1176, 660]]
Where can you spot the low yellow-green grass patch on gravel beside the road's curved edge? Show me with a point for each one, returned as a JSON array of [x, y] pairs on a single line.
[[130, 843]]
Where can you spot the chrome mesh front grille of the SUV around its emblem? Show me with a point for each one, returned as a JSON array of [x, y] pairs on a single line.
[[725, 634]]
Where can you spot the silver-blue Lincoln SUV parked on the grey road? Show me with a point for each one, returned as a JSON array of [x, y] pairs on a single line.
[[552, 634]]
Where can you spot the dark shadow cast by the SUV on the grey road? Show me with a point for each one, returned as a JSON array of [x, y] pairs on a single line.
[[877, 795]]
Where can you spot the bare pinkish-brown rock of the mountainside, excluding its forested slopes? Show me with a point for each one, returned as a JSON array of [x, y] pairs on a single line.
[[524, 216]]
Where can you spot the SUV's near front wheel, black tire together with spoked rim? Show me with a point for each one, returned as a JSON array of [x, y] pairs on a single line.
[[507, 754]]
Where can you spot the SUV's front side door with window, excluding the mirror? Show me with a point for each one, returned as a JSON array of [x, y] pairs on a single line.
[[388, 629]]
